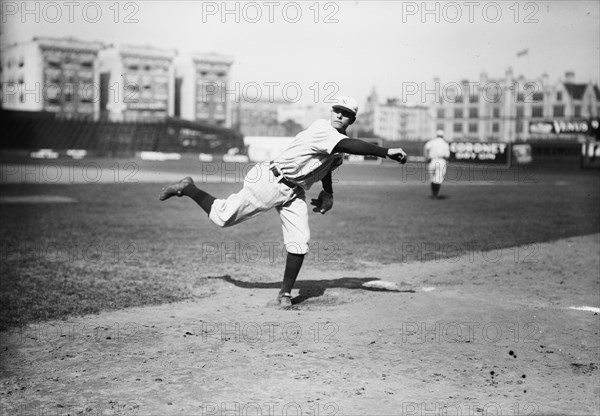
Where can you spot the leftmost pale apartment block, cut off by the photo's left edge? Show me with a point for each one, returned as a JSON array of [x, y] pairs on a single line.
[[58, 75]]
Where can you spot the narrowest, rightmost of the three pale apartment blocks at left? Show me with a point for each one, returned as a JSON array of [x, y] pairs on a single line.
[[202, 88]]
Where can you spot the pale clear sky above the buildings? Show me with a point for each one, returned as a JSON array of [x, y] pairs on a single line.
[[309, 51]]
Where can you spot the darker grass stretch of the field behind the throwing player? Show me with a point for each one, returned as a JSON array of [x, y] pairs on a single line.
[[117, 246]]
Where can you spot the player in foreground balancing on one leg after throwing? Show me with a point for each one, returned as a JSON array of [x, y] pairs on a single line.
[[281, 184]]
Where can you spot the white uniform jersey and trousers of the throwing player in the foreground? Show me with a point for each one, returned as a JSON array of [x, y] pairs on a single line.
[[307, 160]]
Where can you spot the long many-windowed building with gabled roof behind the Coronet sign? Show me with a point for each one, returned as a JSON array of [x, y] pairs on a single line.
[[504, 109]]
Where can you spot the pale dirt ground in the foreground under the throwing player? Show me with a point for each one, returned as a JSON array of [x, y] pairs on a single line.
[[475, 335]]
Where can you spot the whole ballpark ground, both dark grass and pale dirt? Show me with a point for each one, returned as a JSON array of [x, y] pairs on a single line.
[[487, 319]]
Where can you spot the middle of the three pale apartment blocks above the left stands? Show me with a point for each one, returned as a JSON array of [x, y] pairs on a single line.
[[137, 83]]
